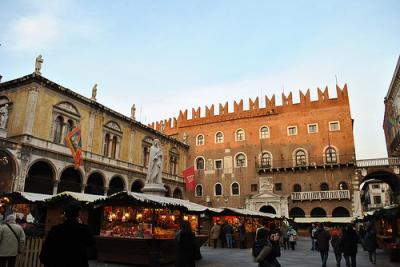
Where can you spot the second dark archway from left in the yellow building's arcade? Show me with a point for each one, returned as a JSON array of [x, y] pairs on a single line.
[[40, 178]]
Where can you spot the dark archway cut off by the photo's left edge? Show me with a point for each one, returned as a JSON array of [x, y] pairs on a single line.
[[7, 171]]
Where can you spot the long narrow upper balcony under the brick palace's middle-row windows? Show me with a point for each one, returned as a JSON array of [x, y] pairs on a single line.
[[309, 162]]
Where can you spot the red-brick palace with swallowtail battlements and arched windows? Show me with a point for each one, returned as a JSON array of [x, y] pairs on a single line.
[[293, 159]]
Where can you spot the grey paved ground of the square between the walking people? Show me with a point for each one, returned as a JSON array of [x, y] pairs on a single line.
[[301, 257]]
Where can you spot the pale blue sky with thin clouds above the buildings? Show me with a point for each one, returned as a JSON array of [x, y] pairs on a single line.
[[165, 56]]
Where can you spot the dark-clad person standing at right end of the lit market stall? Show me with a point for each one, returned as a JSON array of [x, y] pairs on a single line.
[[186, 242]]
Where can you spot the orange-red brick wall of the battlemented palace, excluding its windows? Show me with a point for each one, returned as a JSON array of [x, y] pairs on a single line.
[[279, 144]]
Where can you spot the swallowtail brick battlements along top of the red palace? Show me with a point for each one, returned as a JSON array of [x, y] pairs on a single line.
[[170, 126]]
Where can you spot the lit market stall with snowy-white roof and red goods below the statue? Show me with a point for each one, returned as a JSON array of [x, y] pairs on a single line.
[[138, 228]]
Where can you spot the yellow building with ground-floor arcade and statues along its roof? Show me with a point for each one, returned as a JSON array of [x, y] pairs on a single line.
[[36, 114]]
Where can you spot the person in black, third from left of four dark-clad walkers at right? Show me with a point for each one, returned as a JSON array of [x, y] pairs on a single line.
[[349, 245]]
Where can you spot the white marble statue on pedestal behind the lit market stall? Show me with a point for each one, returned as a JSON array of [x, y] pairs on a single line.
[[154, 172]]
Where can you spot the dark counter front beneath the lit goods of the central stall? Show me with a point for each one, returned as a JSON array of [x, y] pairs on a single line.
[[136, 251]]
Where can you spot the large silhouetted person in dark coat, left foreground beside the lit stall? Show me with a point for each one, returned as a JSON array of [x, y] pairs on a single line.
[[66, 243]]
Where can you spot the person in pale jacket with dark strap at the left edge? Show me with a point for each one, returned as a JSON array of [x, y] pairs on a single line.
[[12, 241]]
